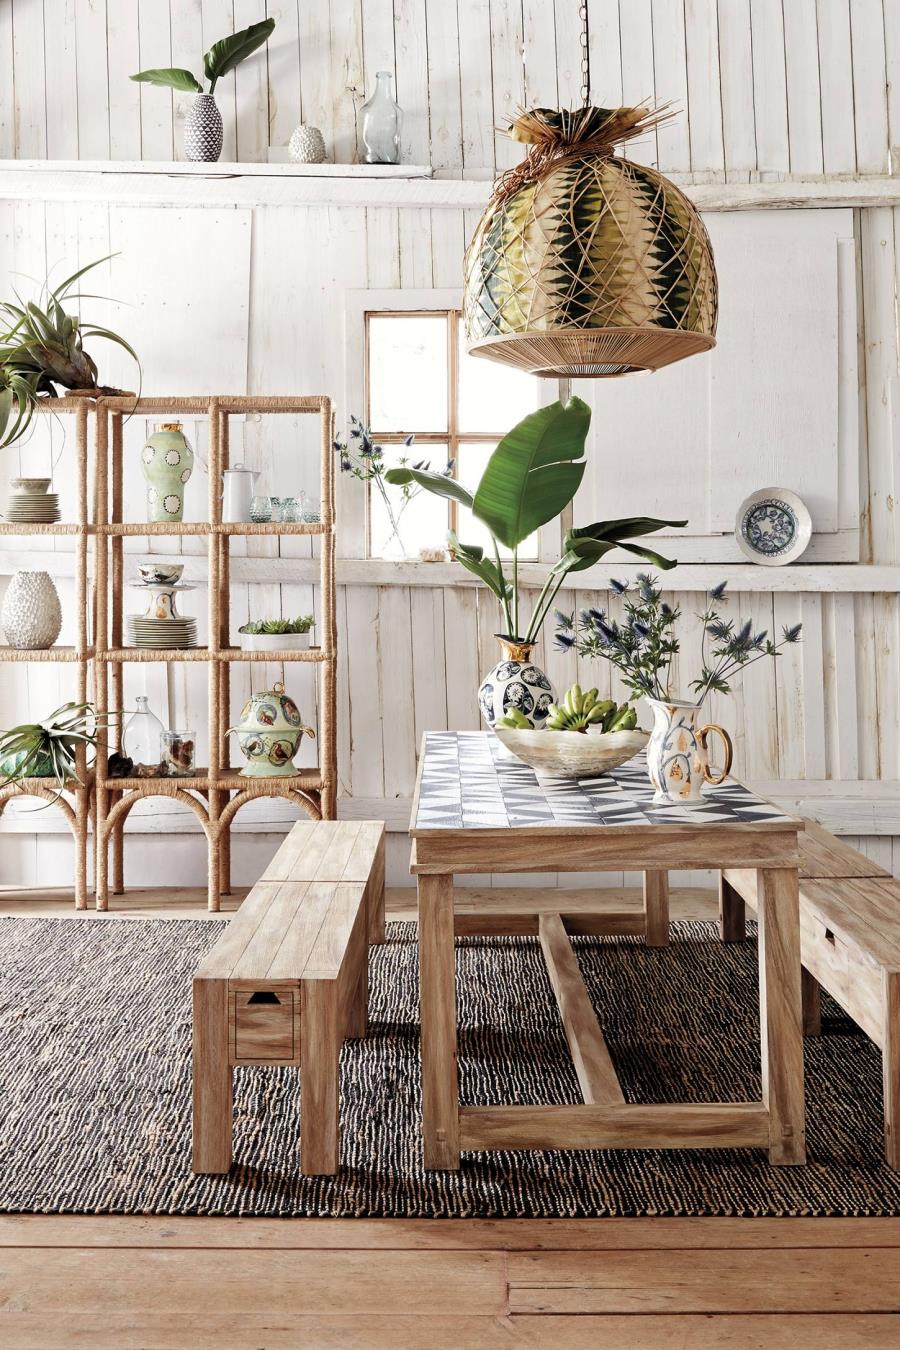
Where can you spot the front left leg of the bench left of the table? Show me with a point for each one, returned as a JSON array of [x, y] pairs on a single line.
[[213, 1078]]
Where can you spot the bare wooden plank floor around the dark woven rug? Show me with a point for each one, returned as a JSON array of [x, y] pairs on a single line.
[[107, 1283]]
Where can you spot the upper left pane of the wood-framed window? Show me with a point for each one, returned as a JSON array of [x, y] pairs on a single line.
[[408, 373]]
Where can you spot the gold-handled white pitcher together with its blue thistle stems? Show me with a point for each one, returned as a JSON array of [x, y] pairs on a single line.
[[642, 647]]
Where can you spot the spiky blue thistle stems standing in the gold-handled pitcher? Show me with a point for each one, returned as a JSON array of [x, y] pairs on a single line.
[[644, 643]]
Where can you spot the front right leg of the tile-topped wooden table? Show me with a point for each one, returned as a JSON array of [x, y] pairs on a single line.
[[781, 1013]]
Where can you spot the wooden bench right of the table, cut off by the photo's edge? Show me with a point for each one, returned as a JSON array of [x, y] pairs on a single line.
[[849, 946]]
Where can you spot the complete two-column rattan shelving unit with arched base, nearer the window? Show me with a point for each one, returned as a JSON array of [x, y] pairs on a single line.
[[218, 792]]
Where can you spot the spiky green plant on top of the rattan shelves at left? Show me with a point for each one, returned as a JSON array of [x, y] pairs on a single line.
[[43, 349]]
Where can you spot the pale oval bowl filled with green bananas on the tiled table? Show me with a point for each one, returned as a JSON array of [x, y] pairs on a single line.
[[582, 738]]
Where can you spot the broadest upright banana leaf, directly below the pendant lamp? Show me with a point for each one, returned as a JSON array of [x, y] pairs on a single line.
[[535, 472]]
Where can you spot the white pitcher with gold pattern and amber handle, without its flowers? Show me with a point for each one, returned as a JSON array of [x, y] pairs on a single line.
[[678, 757]]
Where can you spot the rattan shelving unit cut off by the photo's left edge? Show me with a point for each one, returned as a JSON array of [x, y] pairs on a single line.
[[76, 800]]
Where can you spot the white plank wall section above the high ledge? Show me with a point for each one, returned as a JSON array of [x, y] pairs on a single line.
[[771, 87]]
